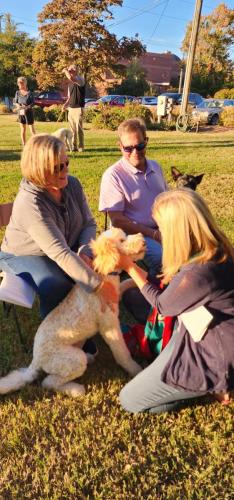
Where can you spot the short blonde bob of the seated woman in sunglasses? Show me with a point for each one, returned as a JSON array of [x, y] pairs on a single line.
[[40, 155]]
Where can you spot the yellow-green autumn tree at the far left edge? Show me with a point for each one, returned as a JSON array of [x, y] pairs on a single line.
[[15, 57]]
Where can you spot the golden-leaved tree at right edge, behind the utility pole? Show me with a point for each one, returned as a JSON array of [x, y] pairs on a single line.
[[213, 67]]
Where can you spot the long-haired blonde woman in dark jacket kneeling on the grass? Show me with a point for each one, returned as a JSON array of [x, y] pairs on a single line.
[[198, 266]]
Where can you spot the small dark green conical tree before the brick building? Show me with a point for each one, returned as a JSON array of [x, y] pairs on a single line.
[[134, 82]]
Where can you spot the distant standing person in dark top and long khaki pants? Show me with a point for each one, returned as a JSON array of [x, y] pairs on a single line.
[[75, 104]]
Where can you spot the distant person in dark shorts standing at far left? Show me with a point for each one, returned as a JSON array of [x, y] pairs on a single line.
[[24, 99]]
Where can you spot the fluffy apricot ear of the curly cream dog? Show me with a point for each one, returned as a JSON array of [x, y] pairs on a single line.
[[106, 255]]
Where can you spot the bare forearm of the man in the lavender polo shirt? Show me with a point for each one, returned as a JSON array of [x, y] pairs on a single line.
[[118, 219]]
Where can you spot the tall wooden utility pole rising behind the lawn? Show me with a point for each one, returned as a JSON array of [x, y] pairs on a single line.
[[189, 66]]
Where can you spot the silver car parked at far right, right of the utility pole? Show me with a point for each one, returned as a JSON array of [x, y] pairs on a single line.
[[210, 110]]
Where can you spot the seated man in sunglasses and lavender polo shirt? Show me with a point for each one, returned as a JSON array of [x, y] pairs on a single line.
[[129, 188]]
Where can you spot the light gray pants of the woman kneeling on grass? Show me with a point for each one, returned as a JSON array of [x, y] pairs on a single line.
[[147, 392]]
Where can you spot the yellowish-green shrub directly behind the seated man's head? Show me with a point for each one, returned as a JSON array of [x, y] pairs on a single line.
[[110, 117]]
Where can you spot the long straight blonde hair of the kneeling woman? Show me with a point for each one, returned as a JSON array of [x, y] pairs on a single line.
[[189, 232]]
